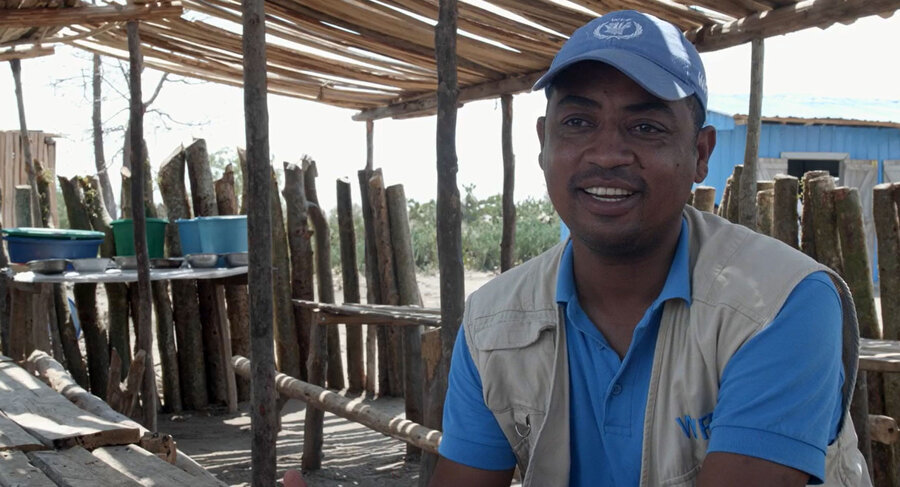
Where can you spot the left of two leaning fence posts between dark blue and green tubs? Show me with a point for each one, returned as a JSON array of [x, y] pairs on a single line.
[[86, 296]]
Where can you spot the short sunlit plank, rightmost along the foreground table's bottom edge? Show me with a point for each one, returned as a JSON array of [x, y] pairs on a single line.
[[146, 468]]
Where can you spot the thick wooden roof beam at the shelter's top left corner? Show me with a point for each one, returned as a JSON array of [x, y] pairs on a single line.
[[59, 17]]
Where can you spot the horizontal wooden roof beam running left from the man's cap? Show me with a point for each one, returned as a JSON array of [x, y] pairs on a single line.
[[428, 104]]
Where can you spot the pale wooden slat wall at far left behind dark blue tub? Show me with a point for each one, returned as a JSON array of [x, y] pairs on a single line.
[[12, 168]]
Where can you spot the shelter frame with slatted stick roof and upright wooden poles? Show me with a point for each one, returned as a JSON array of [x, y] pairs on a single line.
[[384, 58]]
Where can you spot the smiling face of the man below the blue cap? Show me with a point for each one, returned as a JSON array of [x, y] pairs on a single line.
[[619, 162]]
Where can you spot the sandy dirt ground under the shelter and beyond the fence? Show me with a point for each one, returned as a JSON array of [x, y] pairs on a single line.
[[353, 454]]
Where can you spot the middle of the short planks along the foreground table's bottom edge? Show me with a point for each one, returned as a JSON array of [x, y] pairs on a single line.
[[76, 467]]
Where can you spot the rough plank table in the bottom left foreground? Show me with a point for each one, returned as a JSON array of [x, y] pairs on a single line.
[[45, 440]]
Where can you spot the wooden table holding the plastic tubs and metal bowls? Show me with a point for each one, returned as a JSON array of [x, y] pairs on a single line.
[[26, 310]]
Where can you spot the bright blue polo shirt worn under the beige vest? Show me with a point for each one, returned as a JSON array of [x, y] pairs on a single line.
[[770, 405]]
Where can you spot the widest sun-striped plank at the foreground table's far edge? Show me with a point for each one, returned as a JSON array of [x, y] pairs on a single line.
[[51, 418]]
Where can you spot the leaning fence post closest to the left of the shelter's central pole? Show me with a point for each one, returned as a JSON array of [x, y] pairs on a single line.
[[408, 289]]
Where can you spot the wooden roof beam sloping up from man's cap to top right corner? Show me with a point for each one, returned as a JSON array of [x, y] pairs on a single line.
[[808, 13]]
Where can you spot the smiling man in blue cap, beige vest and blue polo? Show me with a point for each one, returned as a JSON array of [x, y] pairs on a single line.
[[659, 345]]
